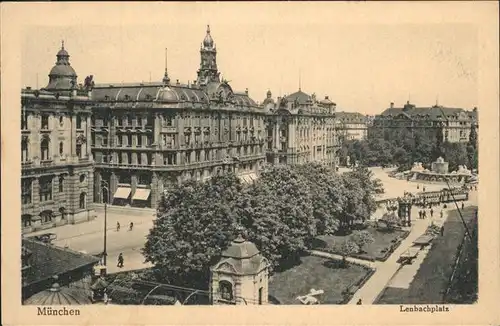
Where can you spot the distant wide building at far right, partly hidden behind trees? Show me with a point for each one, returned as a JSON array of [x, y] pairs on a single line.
[[453, 123]]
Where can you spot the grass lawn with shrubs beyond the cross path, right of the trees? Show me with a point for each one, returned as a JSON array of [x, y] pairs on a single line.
[[383, 240]]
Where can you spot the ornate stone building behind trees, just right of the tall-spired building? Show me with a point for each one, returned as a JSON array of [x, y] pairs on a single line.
[[300, 129]]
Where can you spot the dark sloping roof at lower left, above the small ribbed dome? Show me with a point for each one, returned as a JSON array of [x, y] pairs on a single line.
[[47, 260]]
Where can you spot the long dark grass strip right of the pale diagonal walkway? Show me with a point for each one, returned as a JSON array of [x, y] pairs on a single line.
[[432, 279]]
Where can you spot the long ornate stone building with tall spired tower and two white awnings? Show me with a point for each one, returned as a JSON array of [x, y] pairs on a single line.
[[147, 136]]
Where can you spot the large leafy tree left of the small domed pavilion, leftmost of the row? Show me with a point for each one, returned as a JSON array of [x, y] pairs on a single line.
[[195, 223]]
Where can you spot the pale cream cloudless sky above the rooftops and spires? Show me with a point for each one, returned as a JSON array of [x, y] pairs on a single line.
[[362, 65]]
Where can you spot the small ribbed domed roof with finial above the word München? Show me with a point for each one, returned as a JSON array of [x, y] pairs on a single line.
[[57, 295]]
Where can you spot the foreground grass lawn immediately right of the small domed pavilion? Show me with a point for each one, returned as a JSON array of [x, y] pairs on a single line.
[[316, 273]]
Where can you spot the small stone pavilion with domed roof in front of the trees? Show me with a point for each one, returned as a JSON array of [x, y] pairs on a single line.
[[241, 277]]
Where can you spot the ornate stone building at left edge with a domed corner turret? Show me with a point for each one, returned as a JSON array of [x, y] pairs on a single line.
[[57, 178]]
